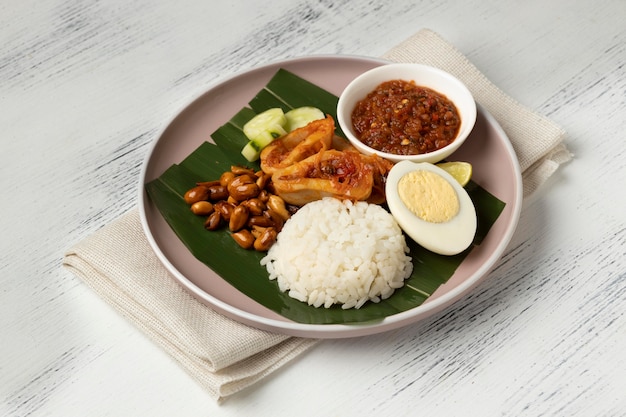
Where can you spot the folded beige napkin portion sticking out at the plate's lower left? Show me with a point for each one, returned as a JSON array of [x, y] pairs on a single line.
[[224, 356]]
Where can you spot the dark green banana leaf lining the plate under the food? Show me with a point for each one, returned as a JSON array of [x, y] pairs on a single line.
[[241, 268]]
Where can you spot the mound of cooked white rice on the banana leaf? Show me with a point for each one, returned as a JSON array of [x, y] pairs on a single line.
[[338, 252]]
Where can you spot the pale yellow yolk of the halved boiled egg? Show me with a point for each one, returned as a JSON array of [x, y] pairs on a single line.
[[429, 196]]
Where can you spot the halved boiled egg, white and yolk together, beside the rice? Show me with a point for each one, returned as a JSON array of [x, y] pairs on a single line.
[[431, 207]]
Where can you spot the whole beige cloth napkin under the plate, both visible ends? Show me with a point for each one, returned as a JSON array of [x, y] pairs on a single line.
[[225, 356]]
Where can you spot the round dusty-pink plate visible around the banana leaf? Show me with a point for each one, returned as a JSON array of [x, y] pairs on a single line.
[[488, 149]]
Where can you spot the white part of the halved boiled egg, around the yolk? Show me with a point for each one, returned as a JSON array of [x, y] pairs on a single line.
[[446, 238]]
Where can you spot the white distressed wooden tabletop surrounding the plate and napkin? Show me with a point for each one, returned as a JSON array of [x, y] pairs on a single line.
[[85, 86]]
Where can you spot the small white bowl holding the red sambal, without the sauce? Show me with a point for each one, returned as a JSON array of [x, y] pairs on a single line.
[[423, 75]]
